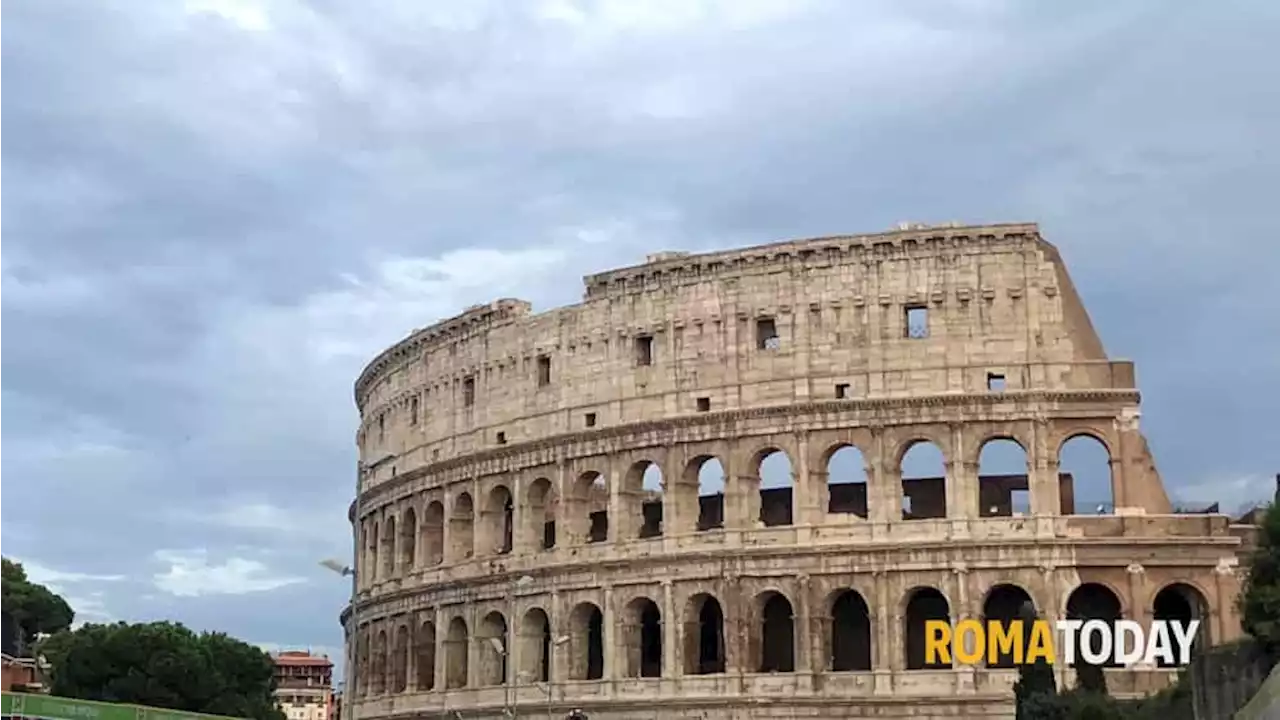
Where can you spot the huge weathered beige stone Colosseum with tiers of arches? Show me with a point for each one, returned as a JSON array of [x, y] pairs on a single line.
[[693, 495]]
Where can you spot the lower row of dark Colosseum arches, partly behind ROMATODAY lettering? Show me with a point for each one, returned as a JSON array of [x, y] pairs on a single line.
[[525, 654]]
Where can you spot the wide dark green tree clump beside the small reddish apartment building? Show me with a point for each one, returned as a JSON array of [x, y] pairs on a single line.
[[164, 666]]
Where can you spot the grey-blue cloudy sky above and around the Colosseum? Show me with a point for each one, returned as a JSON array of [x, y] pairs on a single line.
[[213, 213]]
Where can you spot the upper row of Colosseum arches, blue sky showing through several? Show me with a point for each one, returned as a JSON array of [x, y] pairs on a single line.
[[405, 541]]
